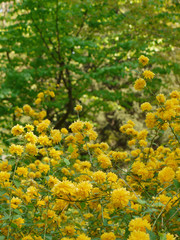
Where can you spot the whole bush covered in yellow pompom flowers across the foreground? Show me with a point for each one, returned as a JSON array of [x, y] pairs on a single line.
[[63, 184]]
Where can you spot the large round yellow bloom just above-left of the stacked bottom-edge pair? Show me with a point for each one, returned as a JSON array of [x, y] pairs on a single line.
[[120, 197]]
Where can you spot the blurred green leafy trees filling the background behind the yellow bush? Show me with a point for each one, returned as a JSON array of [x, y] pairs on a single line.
[[90, 49]]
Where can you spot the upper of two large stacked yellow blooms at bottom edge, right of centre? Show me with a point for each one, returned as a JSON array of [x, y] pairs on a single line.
[[139, 224]]
